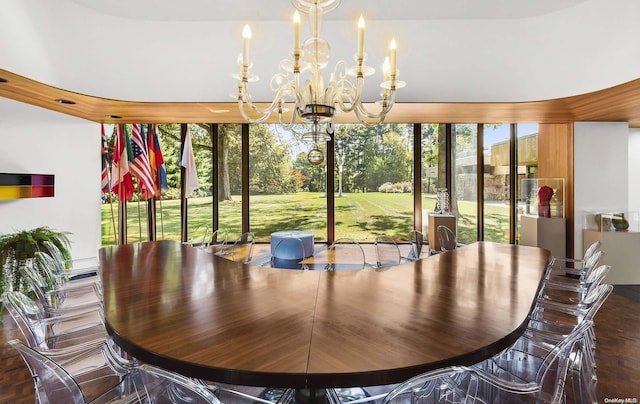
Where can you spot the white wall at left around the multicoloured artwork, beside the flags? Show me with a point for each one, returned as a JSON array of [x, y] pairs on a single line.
[[69, 148]]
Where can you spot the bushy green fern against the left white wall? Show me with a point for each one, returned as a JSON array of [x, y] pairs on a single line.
[[18, 249]]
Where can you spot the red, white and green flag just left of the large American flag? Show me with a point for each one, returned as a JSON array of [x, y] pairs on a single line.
[[122, 183]]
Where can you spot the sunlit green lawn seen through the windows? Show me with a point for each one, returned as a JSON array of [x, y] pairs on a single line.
[[360, 216]]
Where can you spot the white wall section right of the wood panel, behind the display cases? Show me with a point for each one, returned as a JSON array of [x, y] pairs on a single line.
[[601, 171]]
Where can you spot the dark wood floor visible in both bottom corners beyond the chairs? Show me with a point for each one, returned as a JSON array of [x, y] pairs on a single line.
[[618, 352]]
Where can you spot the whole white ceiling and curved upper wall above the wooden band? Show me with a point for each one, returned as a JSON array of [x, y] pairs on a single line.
[[448, 50]]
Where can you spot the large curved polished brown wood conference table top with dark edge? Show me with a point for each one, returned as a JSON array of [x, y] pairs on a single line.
[[204, 316]]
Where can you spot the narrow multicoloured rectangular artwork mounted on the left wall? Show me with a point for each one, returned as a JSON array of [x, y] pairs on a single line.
[[16, 186]]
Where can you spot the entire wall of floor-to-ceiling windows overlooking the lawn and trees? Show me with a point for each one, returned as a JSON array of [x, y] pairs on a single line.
[[266, 182]]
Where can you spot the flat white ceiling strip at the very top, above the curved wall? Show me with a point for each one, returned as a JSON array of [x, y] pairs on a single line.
[[212, 10]]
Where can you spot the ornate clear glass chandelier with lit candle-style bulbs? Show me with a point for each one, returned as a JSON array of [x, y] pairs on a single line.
[[300, 80]]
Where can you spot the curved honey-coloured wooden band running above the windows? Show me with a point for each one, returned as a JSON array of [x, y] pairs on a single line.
[[616, 104]]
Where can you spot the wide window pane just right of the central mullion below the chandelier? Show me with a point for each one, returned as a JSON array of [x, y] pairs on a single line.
[[373, 187]]
